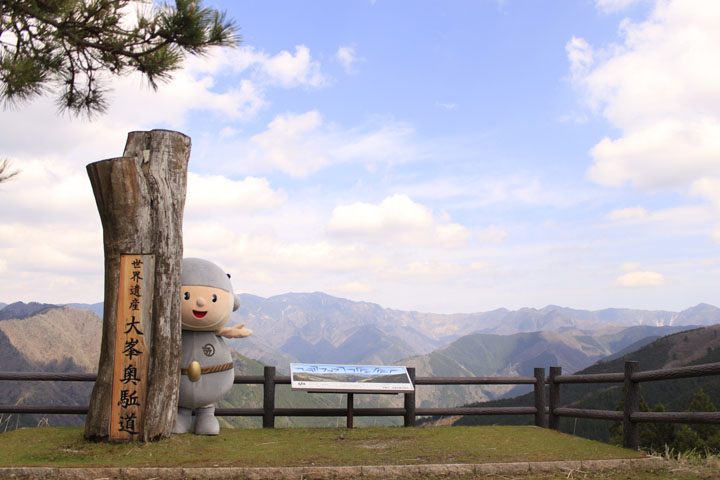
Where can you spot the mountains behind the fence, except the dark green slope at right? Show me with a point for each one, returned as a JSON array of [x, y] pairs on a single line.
[[318, 328]]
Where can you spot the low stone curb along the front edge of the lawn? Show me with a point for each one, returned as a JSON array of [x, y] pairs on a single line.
[[322, 473]]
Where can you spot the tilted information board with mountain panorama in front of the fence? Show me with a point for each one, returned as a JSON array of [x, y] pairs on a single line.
[[313, 377]]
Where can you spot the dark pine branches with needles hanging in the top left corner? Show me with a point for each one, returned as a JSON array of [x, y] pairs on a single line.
[[72, 46]]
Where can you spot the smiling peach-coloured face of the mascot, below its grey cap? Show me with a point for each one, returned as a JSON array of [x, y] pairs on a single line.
[[205, 308]]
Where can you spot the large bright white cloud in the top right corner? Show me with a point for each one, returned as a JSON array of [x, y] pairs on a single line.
[[659, 87]]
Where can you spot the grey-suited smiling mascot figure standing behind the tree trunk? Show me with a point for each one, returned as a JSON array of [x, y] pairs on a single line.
[[207, 371]]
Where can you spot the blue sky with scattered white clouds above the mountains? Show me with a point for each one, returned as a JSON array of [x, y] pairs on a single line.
[[431, 156]]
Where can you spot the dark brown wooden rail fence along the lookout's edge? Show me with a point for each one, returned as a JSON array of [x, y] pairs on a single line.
[[543, 417]]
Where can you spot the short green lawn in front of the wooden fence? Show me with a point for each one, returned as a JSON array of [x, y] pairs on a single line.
[[65, 447]]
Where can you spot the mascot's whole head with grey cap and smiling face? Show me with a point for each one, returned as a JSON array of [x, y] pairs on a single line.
[[207, 300]]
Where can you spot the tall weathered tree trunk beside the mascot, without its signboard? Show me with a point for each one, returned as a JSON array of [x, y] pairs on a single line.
[[140, 198]]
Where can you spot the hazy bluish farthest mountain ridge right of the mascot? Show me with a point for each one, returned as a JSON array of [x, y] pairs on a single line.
[[315, 327]]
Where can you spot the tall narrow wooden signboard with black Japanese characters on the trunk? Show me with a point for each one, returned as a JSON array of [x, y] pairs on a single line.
[[132, 335]]
